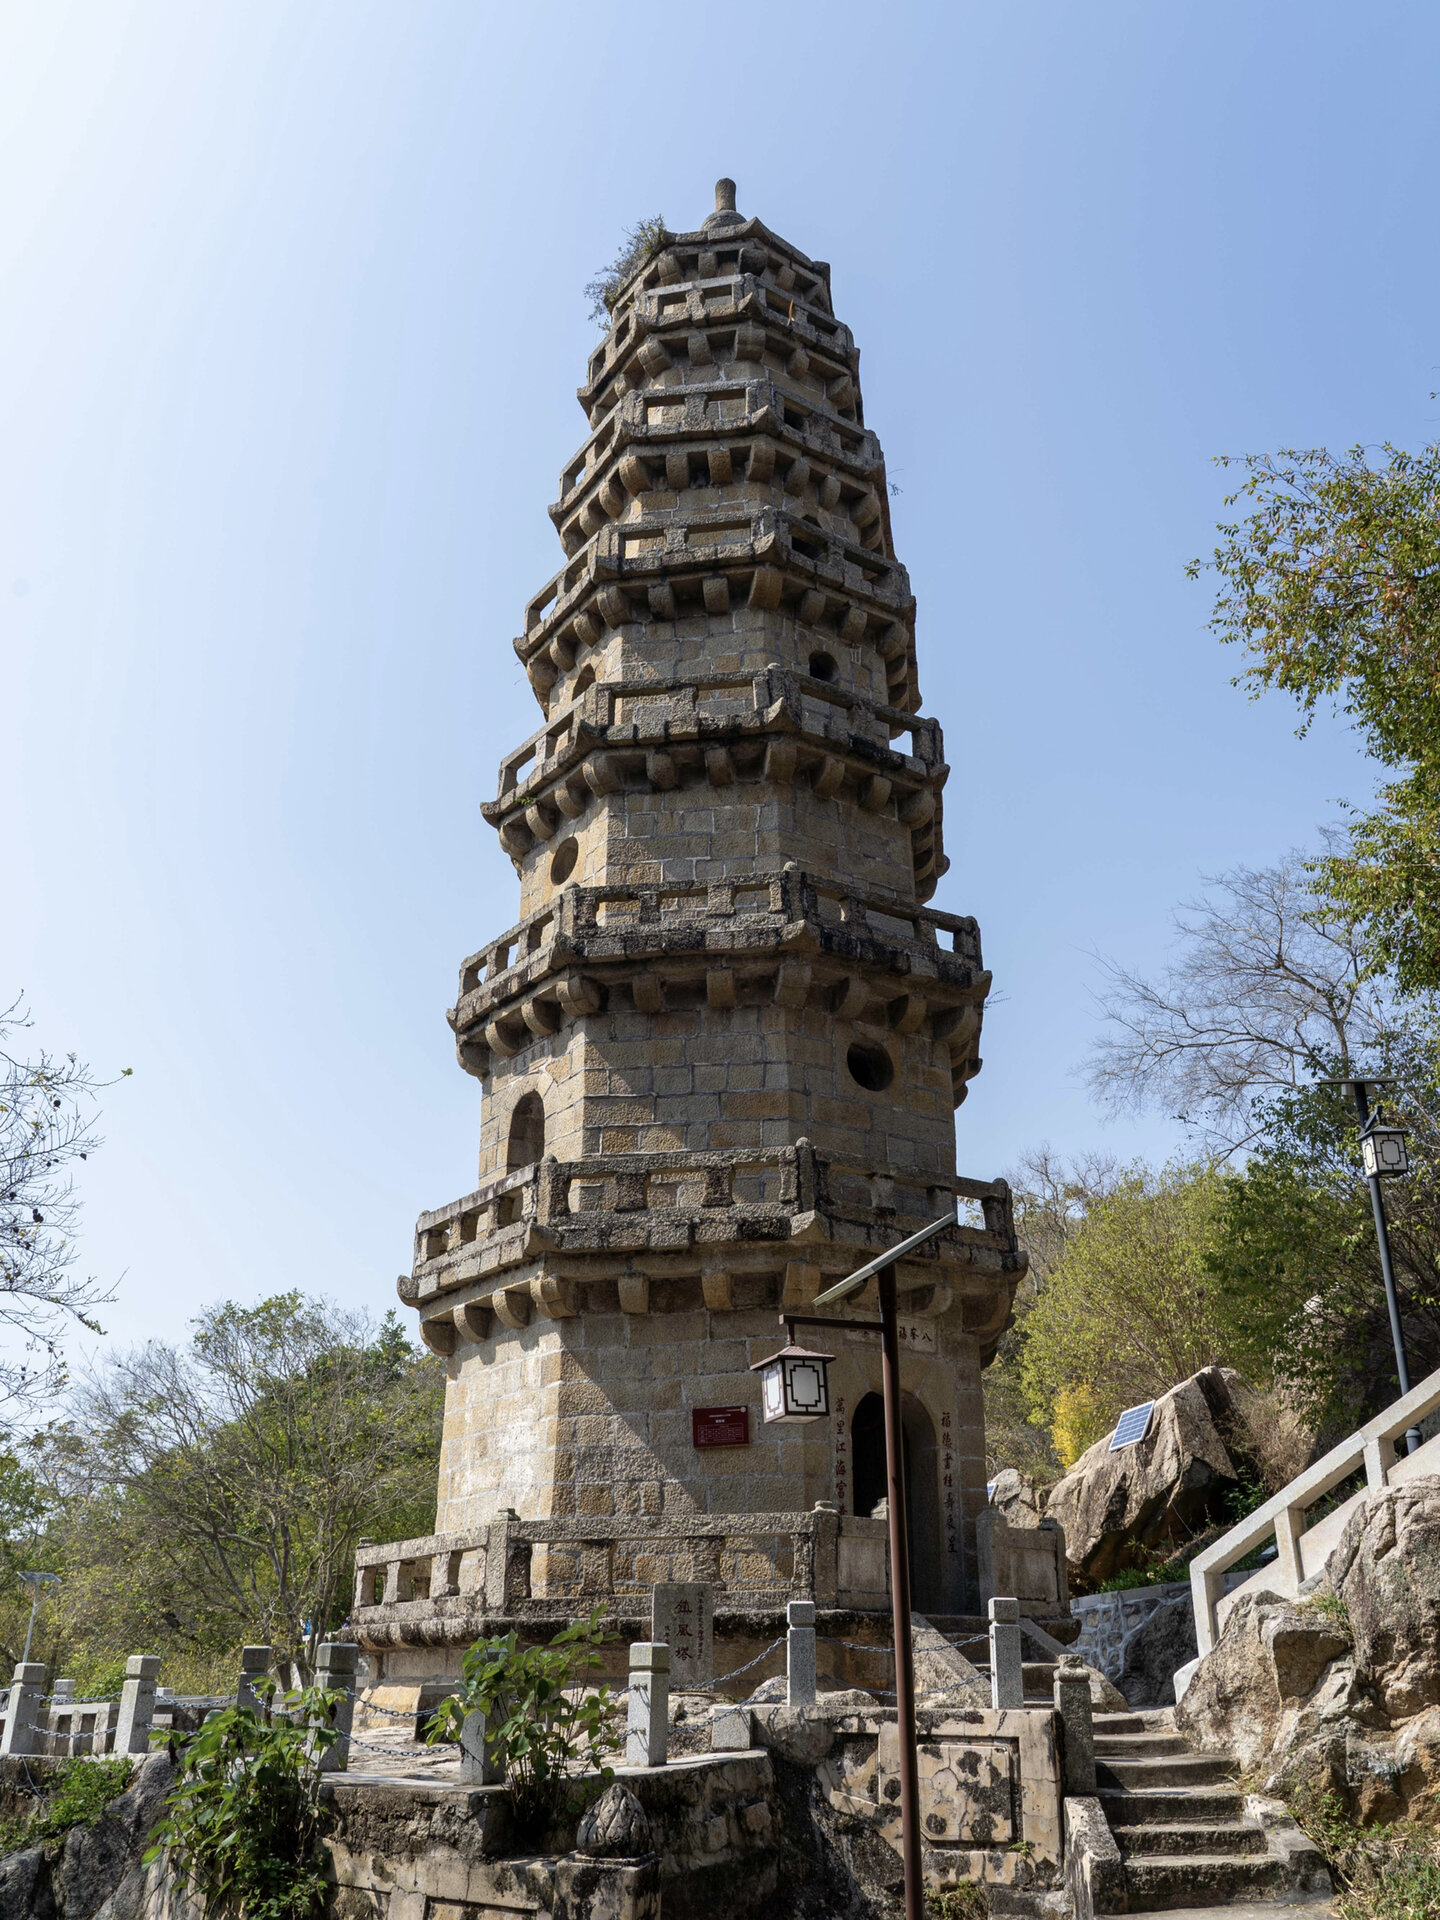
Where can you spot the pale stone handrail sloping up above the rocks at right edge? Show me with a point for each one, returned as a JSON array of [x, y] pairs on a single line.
[[1301, 1550]]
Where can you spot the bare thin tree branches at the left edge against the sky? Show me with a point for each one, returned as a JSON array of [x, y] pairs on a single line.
[[47, 1126]]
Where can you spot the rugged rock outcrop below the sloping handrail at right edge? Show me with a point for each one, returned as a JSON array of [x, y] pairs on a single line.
[[1339, 1694]]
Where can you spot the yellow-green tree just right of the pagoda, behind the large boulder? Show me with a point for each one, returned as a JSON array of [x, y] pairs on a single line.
[[1132, 1305]]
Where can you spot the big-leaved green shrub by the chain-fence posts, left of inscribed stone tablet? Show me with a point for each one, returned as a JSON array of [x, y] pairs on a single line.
[[540, 1723]]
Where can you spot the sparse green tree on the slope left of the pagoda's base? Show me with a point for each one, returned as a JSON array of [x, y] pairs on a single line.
[[216, 1493]]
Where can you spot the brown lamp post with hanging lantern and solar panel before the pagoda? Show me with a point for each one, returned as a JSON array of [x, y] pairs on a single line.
[[817, 1406]]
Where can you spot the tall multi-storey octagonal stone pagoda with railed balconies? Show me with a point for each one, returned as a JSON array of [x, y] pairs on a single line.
[[723, 1045]]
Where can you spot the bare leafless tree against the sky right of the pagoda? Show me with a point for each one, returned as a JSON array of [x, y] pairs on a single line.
[[1272, 986]]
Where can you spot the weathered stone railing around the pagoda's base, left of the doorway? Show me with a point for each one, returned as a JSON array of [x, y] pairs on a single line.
[[514, 1566]]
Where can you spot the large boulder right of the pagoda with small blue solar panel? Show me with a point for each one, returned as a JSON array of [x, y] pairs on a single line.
[[1120, 1508]]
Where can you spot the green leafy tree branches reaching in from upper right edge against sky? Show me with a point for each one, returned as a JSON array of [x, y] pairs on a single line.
[[1333, 585]]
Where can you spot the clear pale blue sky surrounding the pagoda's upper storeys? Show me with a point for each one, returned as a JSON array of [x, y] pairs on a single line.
[[291, 331]]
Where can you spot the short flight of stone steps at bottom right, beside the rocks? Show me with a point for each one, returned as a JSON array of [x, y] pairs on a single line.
[[1186, 1833]]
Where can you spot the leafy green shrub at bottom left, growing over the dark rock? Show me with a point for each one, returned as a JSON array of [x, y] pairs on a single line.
[[245, 1821]]
